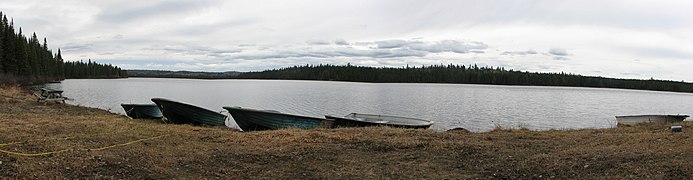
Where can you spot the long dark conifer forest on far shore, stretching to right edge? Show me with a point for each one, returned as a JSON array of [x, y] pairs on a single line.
[[470, 74]]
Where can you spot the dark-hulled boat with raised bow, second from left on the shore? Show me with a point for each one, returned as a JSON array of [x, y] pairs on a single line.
[[182, 113]]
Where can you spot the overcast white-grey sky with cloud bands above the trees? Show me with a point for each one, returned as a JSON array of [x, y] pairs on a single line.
[[626, 39]]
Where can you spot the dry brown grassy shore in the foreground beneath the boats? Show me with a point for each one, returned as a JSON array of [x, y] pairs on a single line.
[[57, 140]]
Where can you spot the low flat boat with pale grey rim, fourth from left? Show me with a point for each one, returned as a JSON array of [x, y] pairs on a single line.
[[362, 120]]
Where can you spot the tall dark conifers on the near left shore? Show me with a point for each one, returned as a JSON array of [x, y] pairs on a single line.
[[25, 60]]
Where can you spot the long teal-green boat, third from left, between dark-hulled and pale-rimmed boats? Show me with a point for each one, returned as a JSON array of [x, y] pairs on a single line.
[[252, 119]]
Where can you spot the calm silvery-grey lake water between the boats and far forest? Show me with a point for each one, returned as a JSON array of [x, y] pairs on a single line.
[[473, 107]]
